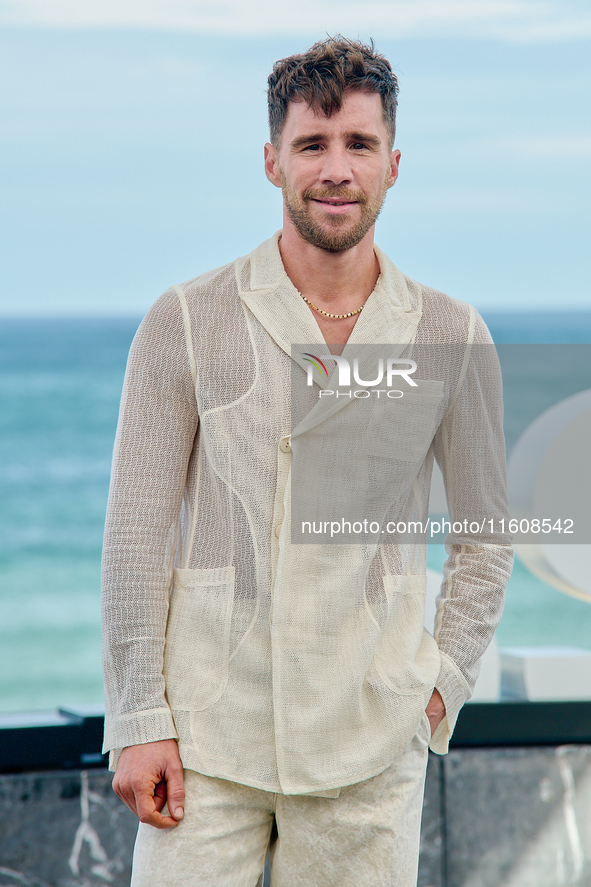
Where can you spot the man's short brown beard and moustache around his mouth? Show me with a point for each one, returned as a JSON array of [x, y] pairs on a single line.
[[337, 233]]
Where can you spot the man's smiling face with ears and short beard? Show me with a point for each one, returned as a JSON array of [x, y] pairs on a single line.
[[334, 171]]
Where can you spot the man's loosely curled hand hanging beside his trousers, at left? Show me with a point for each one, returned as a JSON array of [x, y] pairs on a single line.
[[149, 776]]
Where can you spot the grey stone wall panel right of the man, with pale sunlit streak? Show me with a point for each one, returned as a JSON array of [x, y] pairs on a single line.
[[517, 817]]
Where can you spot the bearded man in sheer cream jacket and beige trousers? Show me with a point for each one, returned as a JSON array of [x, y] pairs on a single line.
[[296, 684]]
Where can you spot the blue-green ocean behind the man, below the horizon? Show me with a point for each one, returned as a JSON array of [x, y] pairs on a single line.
[[60, 383]]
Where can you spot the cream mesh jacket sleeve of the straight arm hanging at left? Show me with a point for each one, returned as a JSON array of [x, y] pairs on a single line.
[[155, 437]]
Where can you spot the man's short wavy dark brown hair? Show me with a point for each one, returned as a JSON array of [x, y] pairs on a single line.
[[321, 75]]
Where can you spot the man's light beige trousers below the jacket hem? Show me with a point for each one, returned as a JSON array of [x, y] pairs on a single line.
[[367, 837]]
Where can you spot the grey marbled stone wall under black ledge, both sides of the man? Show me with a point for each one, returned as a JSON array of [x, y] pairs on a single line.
[[493, 817]]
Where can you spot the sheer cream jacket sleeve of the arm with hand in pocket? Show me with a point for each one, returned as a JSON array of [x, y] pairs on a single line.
[[470, 450]]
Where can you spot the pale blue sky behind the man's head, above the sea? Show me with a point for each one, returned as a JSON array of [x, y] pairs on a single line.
[[132, 133]]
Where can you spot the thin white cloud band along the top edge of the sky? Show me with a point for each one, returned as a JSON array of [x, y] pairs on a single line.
[[507, 20]]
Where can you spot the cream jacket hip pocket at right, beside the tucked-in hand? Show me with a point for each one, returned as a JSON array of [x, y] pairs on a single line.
[[406, 656]]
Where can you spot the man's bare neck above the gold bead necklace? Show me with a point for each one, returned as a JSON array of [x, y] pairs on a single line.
[[330, 278]]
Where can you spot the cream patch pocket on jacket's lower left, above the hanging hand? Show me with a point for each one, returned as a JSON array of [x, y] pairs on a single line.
[[198, 637]]
